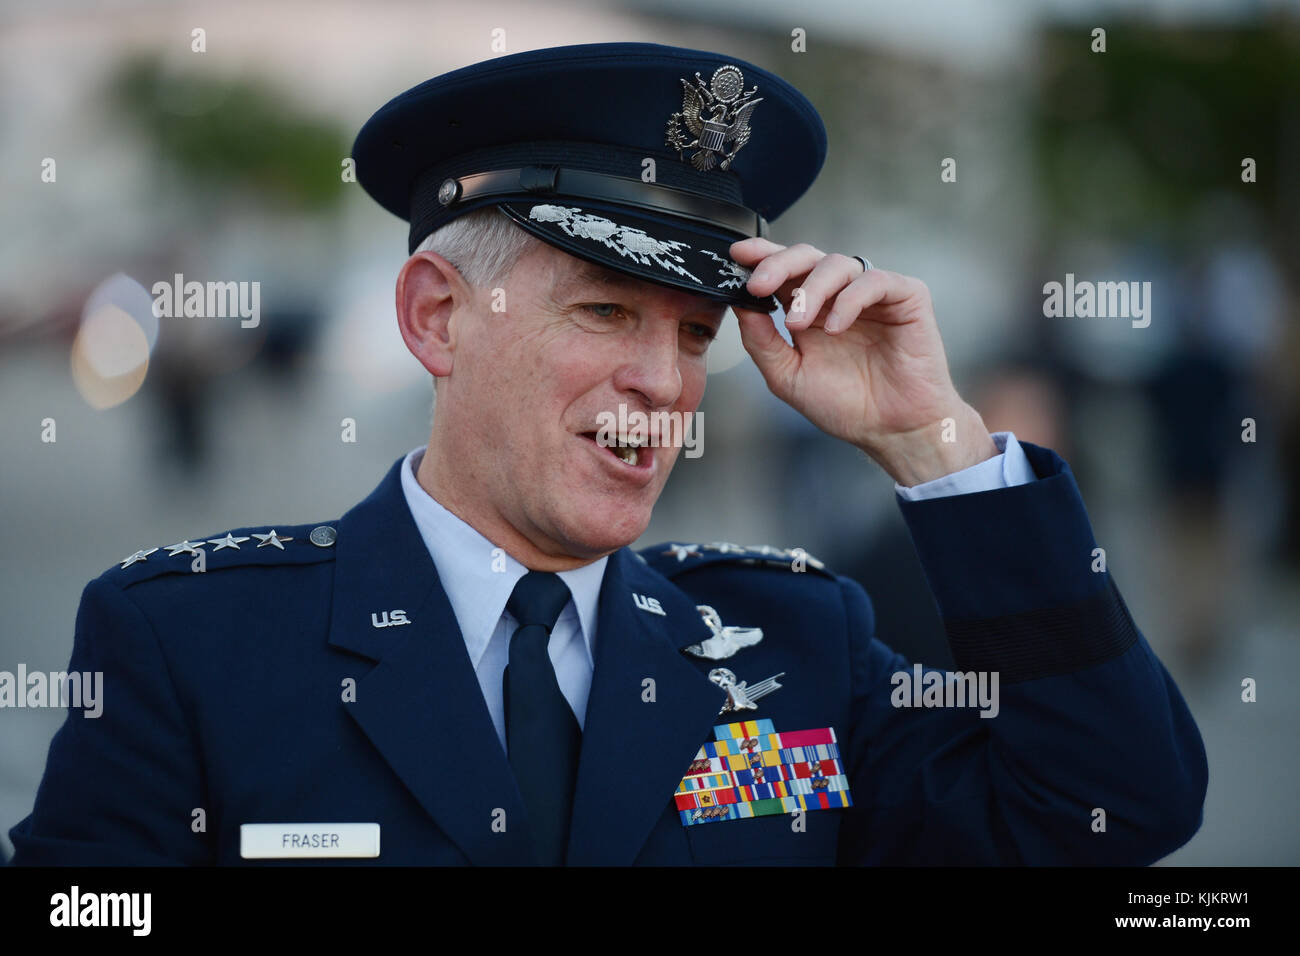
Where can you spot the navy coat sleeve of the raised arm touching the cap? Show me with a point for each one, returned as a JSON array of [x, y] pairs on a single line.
[[1093, 759]]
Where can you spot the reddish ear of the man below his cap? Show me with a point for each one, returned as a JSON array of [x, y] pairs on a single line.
[[430, 292]]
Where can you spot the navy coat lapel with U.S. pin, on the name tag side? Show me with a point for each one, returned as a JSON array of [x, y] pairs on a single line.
[[422, 706]]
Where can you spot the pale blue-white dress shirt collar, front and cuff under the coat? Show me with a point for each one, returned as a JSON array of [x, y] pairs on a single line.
[[478, 594]]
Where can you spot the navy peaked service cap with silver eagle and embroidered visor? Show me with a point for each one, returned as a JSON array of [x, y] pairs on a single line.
[[560, 140]]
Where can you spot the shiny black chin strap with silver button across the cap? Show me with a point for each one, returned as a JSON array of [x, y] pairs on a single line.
[[580, 184]]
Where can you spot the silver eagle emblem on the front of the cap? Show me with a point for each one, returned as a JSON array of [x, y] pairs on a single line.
[[716, 115]]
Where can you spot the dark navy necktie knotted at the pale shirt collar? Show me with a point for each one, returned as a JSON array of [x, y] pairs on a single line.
[[543, 736]]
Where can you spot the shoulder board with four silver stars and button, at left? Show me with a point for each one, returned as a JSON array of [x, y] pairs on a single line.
[[294, 544]]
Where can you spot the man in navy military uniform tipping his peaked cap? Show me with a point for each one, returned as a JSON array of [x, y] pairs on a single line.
[[471, 667]]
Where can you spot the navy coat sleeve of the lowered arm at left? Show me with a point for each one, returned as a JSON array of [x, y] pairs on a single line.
[[119, 789]]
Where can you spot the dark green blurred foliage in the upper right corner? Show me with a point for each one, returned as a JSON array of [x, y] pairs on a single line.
[[1136, 140]]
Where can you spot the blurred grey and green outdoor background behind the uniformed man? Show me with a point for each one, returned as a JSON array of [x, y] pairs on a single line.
[[135, 149]]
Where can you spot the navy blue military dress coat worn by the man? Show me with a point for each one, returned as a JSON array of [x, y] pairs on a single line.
[[224, 691]]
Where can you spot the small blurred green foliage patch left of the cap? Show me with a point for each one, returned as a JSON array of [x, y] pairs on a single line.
[[239, 135]]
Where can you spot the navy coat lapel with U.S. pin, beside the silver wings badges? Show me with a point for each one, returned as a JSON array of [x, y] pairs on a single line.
[[636, 752]]
